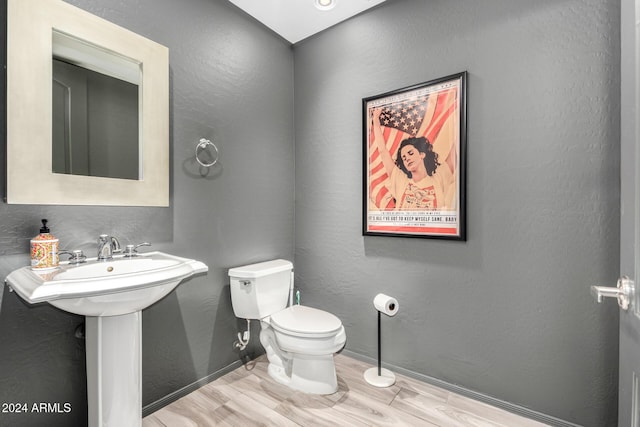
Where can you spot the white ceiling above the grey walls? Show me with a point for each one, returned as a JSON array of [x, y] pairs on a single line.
[[296, 20]]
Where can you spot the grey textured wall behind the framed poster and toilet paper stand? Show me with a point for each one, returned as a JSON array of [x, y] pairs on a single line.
[[507, 313]]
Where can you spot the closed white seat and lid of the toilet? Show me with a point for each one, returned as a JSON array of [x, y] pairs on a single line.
[[309, 322]]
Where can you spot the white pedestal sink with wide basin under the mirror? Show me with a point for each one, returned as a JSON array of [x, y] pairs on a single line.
[[111, 294]]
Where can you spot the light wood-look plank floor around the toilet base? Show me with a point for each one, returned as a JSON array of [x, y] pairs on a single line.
[[249, 397]]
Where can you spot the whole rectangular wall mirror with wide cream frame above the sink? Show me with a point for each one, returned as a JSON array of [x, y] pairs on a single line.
[[87, 110]]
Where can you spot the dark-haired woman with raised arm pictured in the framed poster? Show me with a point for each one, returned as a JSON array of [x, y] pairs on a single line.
[[416, 180]]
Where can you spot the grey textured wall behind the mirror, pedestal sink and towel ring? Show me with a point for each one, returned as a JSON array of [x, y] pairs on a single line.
[[231, 80]]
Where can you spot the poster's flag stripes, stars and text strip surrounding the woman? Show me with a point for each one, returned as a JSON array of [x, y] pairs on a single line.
[[432, 112]]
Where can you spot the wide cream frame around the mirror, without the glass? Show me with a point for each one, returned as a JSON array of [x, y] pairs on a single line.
[[30, 179]]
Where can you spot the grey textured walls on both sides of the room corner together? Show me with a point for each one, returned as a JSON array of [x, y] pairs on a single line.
[[506, 314]]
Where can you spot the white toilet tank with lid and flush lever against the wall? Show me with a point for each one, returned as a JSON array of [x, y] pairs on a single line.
[[259, 290]]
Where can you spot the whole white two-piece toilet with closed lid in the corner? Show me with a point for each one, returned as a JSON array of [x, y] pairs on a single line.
[[300, 341]]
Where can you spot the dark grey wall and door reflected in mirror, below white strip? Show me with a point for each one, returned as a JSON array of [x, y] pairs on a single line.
[[95, 123]]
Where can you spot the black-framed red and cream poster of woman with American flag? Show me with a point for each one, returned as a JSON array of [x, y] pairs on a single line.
[[415, 160]]
